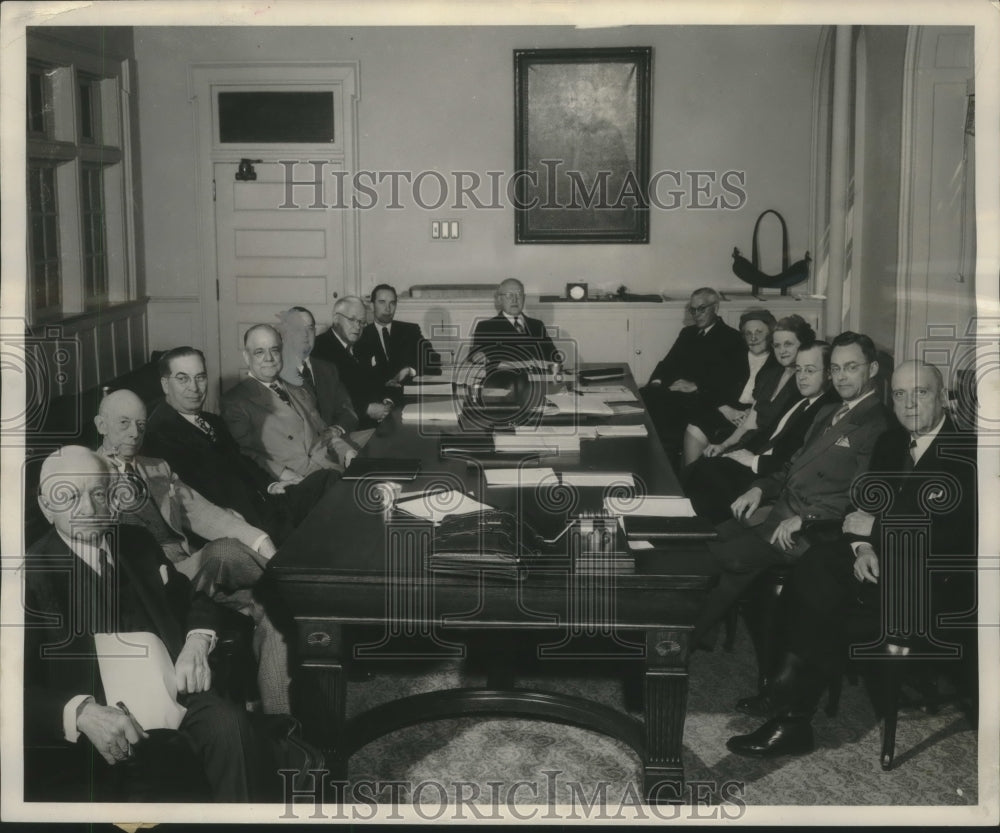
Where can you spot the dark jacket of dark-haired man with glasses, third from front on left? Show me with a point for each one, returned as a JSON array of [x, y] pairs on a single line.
[[218, 470]]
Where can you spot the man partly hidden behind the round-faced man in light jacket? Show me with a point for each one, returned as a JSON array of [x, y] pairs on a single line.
[[317, 376]]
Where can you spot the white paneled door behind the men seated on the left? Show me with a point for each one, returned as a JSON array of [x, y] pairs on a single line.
[[271, 258]]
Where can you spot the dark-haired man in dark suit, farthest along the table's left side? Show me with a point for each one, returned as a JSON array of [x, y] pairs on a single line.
[[396, 350]]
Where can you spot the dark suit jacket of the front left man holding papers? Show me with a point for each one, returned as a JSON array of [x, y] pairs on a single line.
[[60, 661]]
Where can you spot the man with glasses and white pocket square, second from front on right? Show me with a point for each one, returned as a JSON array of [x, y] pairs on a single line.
[[812, 490]]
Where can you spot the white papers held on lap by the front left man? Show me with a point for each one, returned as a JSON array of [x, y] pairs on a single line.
[[136, 670]]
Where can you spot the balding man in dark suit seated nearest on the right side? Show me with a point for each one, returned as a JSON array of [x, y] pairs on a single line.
[[924, 471]]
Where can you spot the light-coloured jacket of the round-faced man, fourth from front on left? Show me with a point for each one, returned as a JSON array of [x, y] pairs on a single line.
[[277, 436]]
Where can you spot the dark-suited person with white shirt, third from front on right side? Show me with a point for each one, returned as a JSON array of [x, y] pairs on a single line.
[[713, 483]]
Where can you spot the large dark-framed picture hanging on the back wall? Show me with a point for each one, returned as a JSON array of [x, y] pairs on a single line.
[[581, 145]]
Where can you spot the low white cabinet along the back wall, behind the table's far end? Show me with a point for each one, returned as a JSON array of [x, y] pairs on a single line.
[[591, 331]]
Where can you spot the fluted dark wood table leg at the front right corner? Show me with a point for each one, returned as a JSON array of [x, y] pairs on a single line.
[[665, 709]]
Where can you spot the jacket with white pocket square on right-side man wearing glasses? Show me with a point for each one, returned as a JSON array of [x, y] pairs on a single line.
[[816, 483]]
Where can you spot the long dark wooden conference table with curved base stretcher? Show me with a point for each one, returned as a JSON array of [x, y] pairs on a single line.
[[356, 571]]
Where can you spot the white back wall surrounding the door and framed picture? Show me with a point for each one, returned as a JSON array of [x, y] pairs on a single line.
[[724, 98]]
